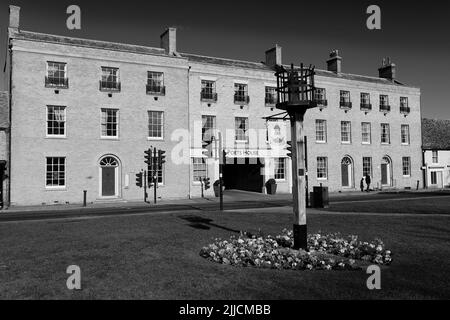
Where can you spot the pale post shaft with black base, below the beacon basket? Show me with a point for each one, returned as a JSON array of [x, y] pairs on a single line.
[[299, 180]]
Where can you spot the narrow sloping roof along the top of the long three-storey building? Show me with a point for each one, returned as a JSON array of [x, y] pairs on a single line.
[[106, 45]]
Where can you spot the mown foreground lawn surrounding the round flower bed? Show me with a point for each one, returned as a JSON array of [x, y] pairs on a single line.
[[157, 257]]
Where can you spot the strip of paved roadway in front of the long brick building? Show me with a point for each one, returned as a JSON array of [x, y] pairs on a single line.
[[233, 200]]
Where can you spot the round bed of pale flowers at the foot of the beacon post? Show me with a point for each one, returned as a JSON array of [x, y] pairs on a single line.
[[326, 251]]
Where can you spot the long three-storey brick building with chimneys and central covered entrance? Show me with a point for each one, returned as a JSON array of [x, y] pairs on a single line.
[[81, 113]]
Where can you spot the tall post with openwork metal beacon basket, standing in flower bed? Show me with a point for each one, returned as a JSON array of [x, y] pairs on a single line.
[[296, 94]]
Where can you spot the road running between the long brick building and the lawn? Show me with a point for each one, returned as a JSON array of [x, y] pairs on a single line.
[[233, 200]]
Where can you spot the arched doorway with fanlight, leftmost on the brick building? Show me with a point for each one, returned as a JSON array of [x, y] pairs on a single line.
[[109, 175]]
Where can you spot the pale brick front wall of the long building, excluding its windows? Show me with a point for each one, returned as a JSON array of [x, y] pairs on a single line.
[[83, 148]]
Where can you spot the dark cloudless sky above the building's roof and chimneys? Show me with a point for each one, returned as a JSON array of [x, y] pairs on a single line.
[[414, 34]]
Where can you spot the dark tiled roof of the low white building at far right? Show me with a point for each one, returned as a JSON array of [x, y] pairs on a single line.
[[435, 134]]
